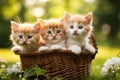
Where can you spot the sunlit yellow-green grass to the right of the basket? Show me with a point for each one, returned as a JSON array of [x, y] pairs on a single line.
[[103, 54]]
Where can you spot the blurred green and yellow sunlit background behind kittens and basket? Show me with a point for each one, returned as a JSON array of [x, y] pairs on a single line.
[[106, 21]]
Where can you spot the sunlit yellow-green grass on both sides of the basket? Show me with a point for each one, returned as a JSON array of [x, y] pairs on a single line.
[[103, 54]]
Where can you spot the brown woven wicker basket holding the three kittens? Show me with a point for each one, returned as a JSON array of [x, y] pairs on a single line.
[[63, 63]]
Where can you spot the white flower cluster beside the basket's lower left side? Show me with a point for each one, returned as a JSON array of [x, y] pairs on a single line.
[[15, 68]]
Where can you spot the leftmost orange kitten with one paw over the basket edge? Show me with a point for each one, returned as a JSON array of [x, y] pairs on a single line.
[[25, 37]]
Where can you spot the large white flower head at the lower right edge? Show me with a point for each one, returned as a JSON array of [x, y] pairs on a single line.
[[110, 64]]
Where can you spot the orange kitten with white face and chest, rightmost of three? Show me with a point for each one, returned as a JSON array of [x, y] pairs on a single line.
[[78, 31]]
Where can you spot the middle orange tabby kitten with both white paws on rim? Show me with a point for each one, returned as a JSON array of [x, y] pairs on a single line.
[[53, 34]]
